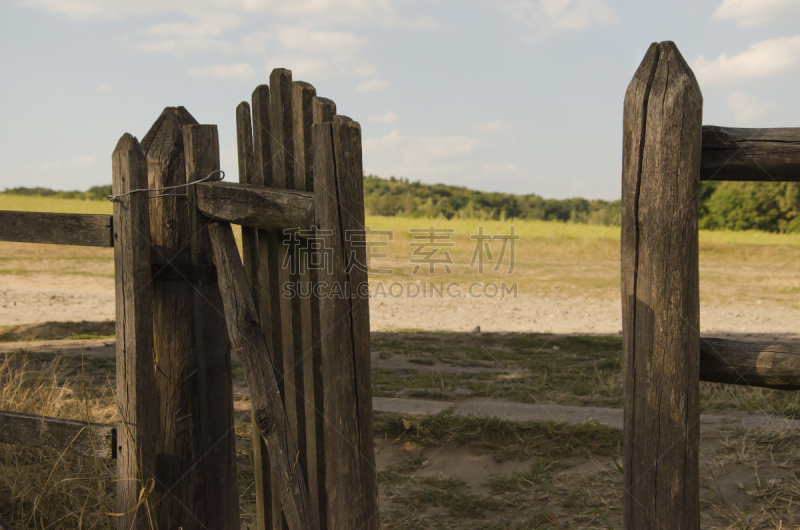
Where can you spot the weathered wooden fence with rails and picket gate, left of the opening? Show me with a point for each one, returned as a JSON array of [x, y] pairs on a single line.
[[185, 300]]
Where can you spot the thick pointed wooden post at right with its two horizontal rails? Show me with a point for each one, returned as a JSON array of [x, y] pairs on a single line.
[[666, 153]]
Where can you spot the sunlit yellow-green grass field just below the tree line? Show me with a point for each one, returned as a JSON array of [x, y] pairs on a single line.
[[551, 258]]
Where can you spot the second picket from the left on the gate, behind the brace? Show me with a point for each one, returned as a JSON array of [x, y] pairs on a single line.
[[265, 292]]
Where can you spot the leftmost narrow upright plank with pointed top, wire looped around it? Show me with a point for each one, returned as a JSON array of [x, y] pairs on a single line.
[[136, 399]]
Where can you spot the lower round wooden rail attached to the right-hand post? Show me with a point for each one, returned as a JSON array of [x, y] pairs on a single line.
[[775, 366]]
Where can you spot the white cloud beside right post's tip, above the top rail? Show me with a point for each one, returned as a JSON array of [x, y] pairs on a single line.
[[762, 59]]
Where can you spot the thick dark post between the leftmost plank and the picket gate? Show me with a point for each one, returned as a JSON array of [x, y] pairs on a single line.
[[193, 442]]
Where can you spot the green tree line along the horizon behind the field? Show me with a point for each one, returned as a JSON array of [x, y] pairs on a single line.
[[772, 207]]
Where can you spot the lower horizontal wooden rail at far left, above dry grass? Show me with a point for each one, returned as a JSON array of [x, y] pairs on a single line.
[[82, 437]]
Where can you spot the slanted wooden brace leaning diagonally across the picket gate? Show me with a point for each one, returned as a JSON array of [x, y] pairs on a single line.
[[250, 346]]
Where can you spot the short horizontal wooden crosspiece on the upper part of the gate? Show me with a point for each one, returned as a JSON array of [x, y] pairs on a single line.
[[256, 206]]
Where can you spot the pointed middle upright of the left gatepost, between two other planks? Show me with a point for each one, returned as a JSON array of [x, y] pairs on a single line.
[[179, 484]]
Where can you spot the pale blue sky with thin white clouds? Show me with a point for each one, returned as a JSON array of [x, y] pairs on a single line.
[[516, 96]]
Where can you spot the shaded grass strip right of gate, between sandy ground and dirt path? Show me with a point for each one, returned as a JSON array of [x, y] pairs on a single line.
[[578, 370]]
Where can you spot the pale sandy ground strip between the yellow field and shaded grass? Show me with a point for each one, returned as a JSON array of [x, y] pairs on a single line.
[[45, 297]]
